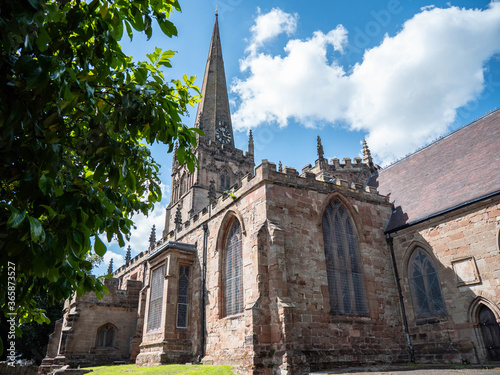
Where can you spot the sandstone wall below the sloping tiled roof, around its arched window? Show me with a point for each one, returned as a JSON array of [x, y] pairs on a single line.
[[464, 247]]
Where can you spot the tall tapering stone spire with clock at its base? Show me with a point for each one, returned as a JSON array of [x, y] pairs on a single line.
[[213, 116]]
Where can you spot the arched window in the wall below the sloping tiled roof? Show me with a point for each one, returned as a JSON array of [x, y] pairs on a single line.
[[424, 286]]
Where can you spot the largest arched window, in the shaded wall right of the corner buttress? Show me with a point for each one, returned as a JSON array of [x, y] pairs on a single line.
[[346, 284]]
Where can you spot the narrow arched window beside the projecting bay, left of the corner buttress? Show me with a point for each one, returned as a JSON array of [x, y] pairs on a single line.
[[233, 271]]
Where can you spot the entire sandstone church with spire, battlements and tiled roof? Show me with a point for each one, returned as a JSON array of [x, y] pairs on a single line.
[[279, 271]]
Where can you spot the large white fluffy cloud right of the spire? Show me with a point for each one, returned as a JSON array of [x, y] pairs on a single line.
[[403, 94]]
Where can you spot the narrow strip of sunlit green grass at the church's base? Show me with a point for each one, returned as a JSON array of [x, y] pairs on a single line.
[[163, 370]]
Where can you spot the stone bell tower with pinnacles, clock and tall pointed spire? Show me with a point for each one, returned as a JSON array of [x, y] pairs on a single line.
[[221, 165]]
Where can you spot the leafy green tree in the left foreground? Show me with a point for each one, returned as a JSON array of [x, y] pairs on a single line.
[[76, 115]]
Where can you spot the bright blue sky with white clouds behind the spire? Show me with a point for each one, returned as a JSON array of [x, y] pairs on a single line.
[[397, 73]]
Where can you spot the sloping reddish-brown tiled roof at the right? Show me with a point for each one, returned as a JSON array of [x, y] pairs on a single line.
[[459, 168]]
